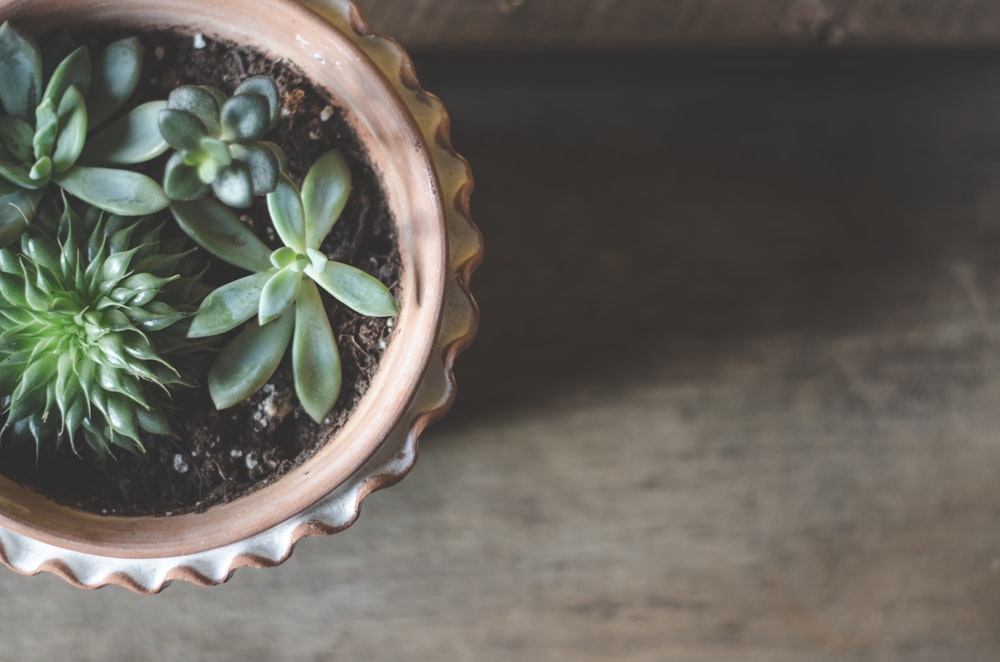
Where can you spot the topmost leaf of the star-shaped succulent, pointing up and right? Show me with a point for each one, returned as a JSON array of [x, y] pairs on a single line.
[[324, 194]]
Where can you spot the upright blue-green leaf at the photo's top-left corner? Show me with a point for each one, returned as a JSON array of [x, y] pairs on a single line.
[[21, 67]]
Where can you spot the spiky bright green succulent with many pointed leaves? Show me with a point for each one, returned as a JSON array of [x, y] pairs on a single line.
[[93, 309]]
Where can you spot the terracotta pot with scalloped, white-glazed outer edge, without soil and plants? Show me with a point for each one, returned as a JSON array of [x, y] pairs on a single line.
[[405, 131]]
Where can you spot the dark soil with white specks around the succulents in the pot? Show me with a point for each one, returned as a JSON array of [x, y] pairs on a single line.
[[216, 456]]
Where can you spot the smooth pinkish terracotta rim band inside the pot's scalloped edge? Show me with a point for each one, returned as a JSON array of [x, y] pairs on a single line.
[[396, 149]]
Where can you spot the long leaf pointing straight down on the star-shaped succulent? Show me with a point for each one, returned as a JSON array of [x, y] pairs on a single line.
[[315, 358]]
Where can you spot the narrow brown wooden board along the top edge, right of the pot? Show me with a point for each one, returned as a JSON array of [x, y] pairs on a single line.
[[608, 24]]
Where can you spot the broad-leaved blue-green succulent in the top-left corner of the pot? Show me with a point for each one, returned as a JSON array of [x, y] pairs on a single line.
[[53, 98]]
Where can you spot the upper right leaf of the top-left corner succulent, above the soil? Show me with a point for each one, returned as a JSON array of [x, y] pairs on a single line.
[[116, 72]]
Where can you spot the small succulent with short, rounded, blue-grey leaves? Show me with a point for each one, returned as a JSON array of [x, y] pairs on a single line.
[[218, 142]]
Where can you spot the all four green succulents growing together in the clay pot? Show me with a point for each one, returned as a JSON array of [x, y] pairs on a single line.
[[100, 308]]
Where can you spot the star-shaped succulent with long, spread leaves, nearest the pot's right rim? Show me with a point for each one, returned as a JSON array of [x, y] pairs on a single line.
[[282, 290]]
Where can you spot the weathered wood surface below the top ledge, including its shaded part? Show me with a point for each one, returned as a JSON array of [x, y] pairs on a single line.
[[736, 395]]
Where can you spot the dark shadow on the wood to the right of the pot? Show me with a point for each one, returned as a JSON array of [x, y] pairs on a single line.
[[653, 217]]
